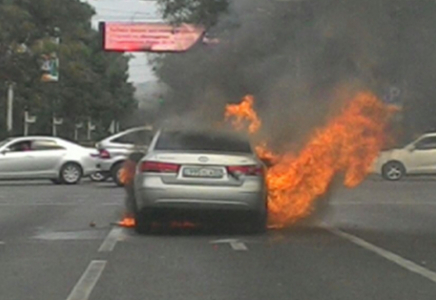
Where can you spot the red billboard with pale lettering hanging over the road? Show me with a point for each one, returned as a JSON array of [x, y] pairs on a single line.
[[149, 37]]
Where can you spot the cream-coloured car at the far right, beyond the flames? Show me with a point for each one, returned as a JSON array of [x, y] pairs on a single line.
[[416, 158]]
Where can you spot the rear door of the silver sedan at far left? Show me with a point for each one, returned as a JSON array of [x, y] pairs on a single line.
[[47, 157]]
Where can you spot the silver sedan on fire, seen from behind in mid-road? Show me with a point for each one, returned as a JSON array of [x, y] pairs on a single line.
[[200, 171]]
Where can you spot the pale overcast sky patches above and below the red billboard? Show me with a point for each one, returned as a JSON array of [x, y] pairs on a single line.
[[128, 10]]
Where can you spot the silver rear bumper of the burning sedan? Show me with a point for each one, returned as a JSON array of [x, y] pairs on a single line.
[[192, 197]]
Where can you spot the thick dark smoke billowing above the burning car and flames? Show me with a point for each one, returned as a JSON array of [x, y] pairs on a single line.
[[297, 57]]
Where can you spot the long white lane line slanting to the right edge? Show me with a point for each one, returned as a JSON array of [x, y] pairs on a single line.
[[402, 262]]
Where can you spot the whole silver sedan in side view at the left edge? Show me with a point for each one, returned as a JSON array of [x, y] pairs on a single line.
[[42, 157]]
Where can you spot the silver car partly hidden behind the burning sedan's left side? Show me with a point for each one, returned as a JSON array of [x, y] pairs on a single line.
[[115, 149]]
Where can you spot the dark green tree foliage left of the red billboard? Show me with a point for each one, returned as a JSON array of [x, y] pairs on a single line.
[[93, 84]]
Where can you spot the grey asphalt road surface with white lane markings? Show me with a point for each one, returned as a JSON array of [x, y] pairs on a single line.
[[378, 242]]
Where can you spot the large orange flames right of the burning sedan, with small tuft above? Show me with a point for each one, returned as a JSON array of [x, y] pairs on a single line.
[[348, 144]]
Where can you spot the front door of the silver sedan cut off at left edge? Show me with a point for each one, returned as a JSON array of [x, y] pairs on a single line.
[[16, 161]]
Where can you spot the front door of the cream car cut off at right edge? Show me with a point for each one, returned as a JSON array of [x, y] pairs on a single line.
[[423, 156]]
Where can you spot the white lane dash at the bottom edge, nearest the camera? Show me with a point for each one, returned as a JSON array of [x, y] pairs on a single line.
[[83, 288]]
